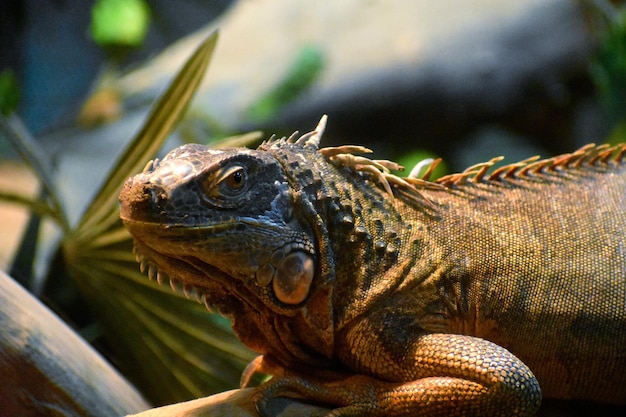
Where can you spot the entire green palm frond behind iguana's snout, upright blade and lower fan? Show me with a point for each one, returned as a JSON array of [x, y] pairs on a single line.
[[172, 348]]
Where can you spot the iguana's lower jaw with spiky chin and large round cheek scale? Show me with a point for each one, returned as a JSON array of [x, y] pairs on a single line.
[[216, 256]]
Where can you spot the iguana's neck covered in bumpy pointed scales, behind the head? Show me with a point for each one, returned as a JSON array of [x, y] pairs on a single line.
[[368, 242]]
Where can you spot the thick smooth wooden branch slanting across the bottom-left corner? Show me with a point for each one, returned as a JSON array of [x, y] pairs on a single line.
[[48, 370]]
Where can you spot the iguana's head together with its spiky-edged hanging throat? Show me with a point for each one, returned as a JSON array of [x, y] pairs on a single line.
[[230, 225]]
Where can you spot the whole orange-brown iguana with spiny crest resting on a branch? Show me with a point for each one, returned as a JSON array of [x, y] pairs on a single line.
[[390, 296]]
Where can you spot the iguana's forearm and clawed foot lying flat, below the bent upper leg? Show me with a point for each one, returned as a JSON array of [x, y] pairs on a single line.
[[362, 395]]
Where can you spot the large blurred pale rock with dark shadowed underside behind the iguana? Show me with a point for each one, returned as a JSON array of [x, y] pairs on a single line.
[[400, 74]]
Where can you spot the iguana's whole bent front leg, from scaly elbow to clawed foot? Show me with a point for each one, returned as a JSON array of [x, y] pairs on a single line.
[[448, 375]]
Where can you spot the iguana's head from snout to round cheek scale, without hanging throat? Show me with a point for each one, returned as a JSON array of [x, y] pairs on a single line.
[[226, 215]]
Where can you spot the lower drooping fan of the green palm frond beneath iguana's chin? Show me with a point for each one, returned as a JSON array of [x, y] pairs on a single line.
[[170, 347]]
